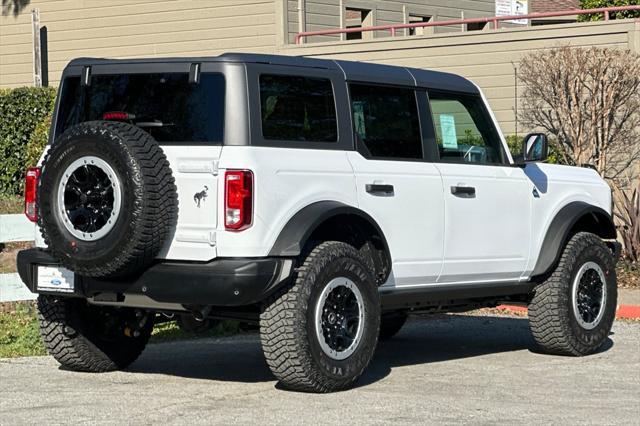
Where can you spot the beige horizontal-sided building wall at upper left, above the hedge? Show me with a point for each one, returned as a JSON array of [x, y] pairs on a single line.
[[124, 28]]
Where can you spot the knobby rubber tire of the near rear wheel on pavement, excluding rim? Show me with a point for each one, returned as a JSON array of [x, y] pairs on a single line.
[[287, 325]]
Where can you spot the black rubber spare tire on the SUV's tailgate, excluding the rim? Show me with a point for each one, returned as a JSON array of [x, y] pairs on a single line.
[[149, 200]]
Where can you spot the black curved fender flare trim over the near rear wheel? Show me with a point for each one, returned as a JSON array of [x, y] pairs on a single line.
[[299, 228]]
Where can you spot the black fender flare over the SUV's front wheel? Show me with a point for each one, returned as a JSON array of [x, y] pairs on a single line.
[[558, 233]]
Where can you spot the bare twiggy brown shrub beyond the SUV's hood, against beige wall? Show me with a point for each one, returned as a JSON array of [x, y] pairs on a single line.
[[588, 99]]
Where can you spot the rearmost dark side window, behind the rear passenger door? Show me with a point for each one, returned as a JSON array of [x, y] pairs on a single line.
[[297, 109]]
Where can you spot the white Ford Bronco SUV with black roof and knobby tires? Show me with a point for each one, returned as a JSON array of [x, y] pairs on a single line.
[[324, 200]]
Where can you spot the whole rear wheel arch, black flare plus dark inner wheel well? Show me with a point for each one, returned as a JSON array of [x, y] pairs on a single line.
[[335, 221]]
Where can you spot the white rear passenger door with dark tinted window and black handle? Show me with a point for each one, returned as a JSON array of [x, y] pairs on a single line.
[[394, 182]]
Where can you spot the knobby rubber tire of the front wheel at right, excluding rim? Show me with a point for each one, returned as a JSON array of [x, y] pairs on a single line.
[[551, 315]]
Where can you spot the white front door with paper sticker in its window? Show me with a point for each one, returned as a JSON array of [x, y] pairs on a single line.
[[487, 201]]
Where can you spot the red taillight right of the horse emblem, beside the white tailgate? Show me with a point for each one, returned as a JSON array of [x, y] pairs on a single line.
[[238, 199]]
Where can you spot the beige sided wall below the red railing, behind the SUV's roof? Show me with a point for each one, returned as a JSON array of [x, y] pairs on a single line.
[[488, 57]]
